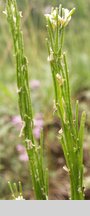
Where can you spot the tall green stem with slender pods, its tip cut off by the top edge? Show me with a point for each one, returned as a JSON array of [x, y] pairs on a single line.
[[38, 172]]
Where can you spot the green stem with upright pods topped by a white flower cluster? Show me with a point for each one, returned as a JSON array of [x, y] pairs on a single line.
[[71, 136]]
